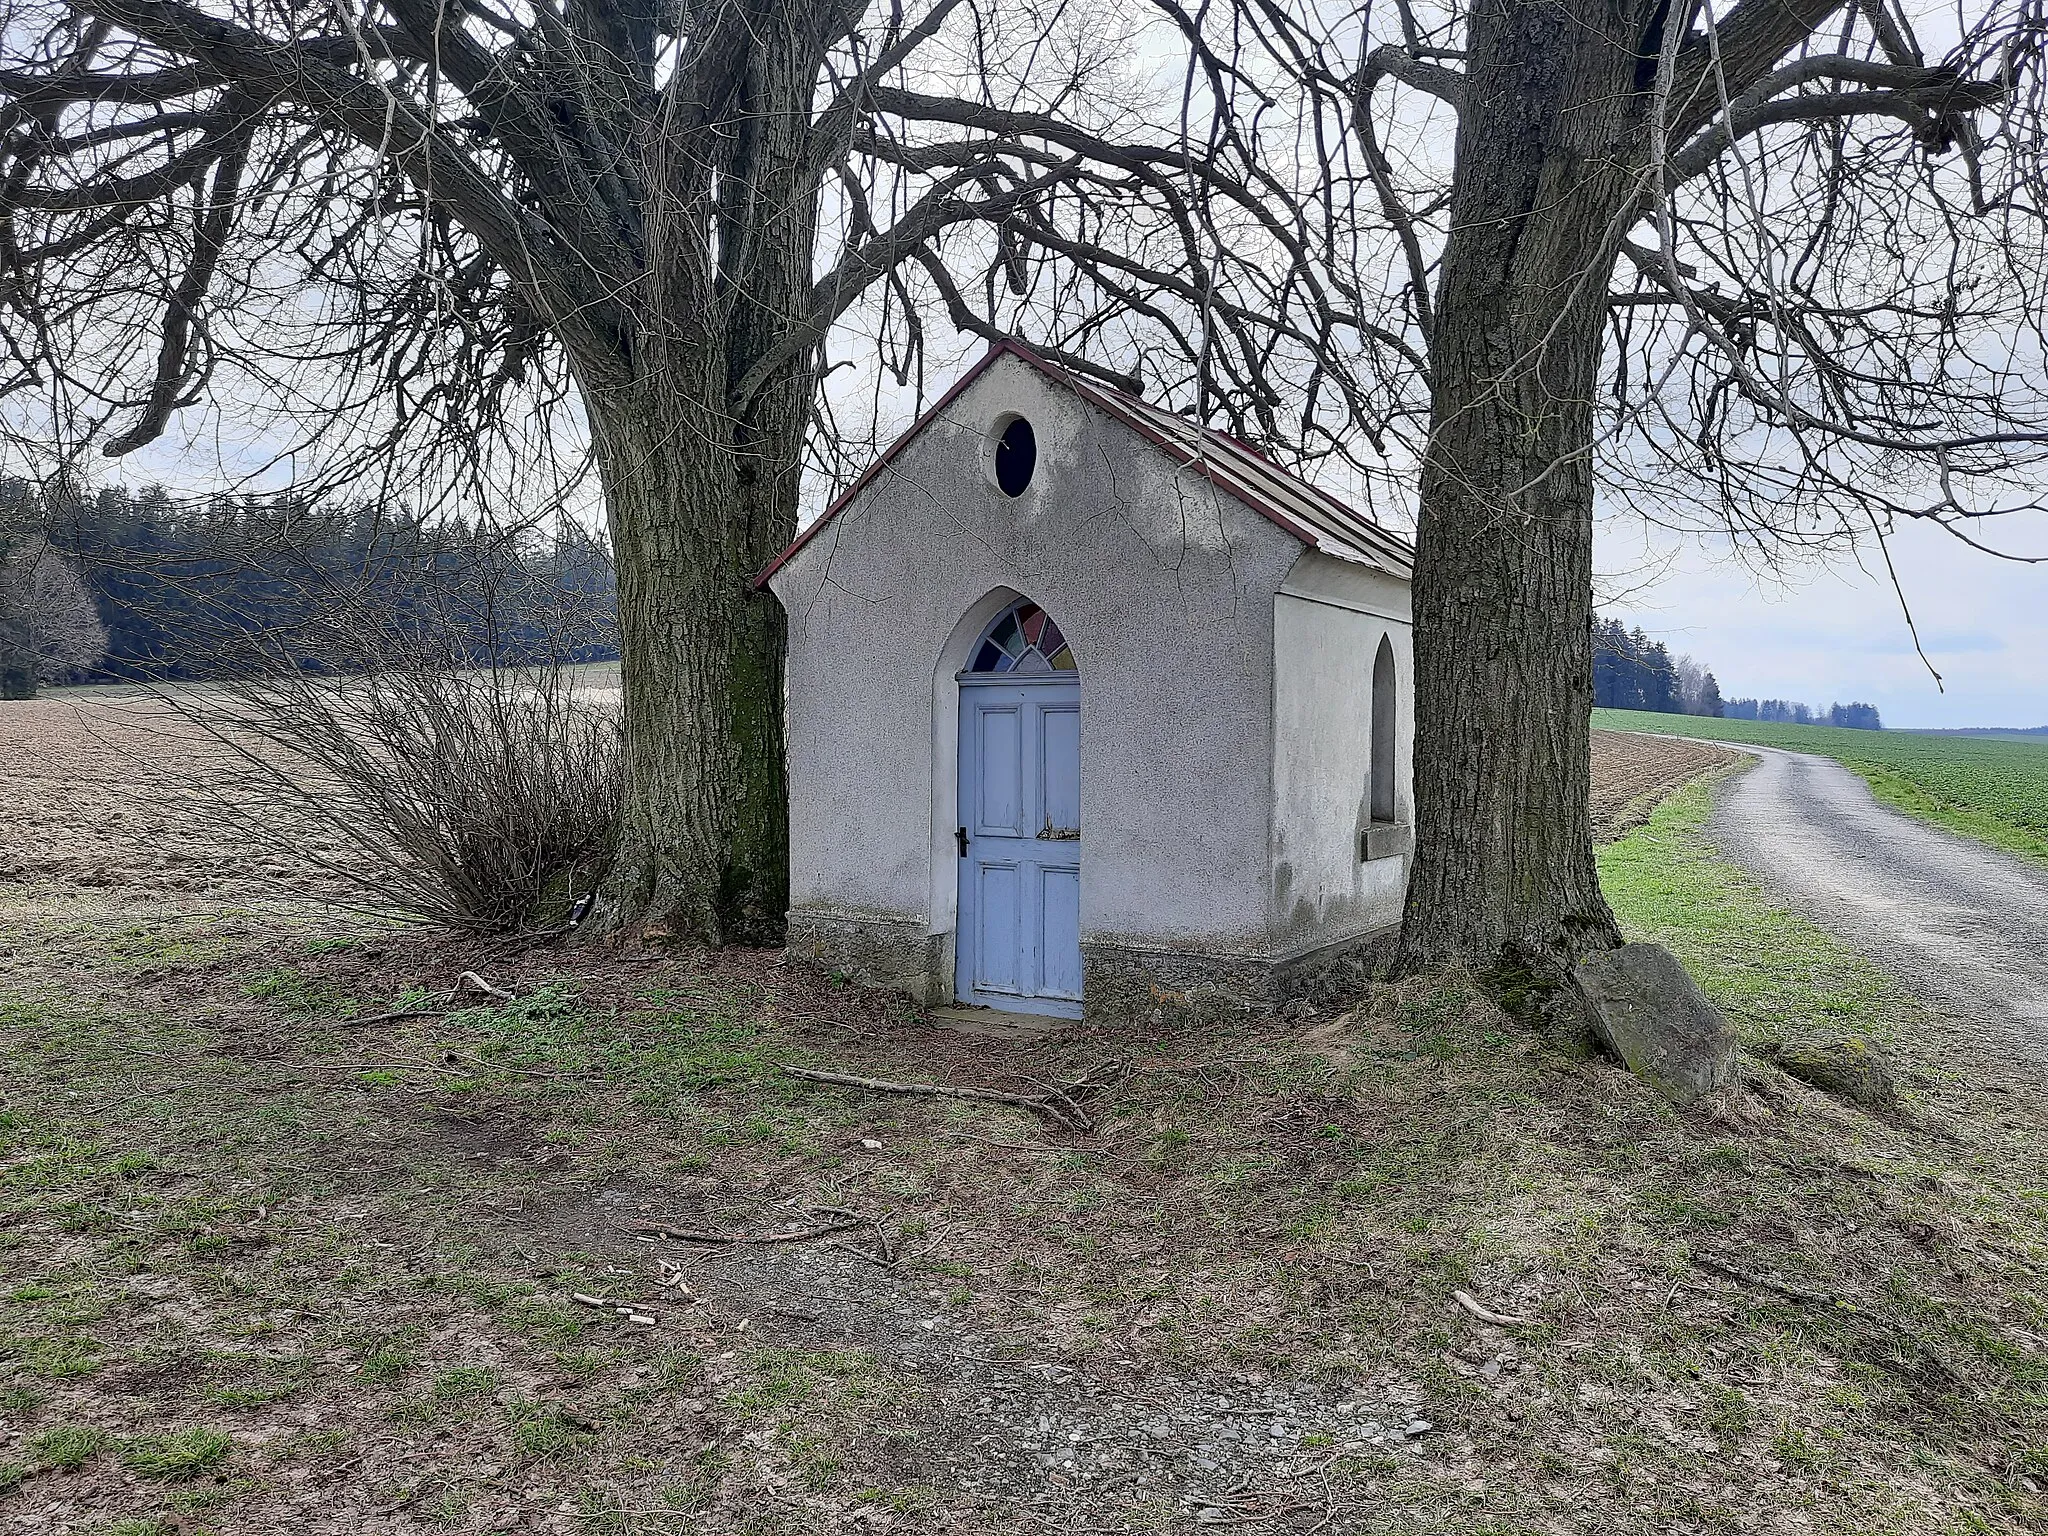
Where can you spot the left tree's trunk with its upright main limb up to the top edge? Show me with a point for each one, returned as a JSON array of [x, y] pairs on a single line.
[[701, 478]]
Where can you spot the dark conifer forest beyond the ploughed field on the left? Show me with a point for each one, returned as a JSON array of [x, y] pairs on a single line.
[[222, 587]]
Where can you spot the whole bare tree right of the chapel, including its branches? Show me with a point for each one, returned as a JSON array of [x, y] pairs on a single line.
[[1766, 267]]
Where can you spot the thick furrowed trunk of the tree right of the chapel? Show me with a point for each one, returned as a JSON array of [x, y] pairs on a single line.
[[1549, 161]]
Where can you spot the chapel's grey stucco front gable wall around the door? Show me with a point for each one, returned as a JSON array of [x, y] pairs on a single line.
[[1164, 591]]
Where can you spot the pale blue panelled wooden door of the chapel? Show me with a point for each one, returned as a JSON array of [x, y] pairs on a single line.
[[1019, 943]]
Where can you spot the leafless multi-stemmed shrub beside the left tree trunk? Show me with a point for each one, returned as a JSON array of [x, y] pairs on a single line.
[[429, 753]]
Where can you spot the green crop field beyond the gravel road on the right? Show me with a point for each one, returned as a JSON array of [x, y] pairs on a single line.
[[1986, 787]]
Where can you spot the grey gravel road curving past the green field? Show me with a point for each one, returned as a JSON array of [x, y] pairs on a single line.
[[1961, 923]]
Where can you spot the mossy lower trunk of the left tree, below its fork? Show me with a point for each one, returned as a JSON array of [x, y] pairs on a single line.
[[706, 841]]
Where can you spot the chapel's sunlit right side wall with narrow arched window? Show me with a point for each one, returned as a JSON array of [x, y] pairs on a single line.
[[1328, 626]]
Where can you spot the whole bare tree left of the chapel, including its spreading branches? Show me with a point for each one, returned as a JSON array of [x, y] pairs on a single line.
[[470, 232]]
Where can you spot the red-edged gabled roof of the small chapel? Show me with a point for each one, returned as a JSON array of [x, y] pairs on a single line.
[[1236, 468]]
